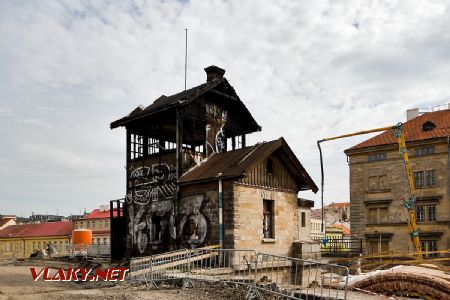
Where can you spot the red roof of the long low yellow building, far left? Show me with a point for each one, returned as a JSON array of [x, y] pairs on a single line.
[[38, 230]]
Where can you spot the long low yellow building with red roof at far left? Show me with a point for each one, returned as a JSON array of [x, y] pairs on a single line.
[[22, 240]]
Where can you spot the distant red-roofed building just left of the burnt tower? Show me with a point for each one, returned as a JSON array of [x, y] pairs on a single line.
[[99, 222]]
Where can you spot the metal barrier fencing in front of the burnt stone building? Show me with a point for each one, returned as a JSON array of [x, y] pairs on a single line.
[[288, 277]]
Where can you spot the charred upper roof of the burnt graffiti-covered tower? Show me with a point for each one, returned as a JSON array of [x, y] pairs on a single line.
[[183, 98]]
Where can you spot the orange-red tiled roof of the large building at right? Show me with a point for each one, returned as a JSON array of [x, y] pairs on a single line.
[[413, 130]]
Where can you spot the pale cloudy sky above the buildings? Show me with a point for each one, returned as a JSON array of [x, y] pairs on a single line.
[[305, 70]]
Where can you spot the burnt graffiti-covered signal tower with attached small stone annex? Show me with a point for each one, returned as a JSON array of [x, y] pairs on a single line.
[[192, 180]]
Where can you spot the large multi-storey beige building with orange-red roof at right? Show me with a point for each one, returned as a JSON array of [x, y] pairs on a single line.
[[379, 187]]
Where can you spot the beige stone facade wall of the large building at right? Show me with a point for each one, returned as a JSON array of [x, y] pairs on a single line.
[[383, 187]]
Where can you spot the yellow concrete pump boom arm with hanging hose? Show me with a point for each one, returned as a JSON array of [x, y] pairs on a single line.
[[409, 204]]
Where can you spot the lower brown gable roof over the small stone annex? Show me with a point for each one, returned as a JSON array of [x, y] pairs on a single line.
[[234, 164]]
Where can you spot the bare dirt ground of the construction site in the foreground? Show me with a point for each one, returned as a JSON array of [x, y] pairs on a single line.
[[16, 283]]
